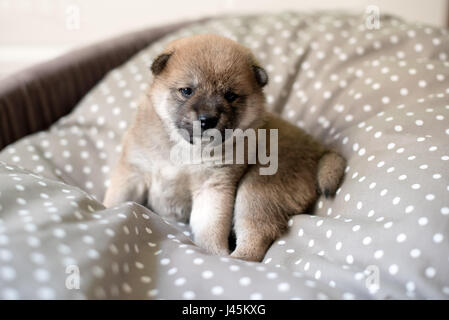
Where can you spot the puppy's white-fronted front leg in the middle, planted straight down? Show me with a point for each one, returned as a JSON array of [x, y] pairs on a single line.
[[211, 218]]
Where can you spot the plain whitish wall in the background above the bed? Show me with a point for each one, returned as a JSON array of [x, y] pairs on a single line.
[[36, 30]]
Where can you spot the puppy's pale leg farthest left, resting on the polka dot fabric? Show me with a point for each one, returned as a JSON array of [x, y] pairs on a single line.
[[125, 185]]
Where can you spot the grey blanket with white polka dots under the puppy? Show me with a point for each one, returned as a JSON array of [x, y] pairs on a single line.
[[378, 96]]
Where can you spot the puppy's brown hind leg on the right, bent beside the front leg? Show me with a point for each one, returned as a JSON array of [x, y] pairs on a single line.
[[264, 204]]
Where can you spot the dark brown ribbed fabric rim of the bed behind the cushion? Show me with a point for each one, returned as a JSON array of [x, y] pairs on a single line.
[[33, 99]]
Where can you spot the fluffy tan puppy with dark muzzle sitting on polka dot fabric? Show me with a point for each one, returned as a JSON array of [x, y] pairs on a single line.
[[218, 82]]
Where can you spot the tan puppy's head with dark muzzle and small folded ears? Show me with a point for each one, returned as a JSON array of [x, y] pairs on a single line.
[[209, 79]]
